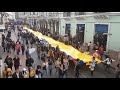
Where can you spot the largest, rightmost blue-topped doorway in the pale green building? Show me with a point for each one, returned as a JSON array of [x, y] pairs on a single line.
[[100, 37]]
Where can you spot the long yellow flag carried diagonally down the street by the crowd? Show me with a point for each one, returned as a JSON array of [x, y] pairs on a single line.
[[69, 50]]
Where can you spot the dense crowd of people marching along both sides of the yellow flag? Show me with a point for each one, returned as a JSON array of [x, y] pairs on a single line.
[[51, 57]]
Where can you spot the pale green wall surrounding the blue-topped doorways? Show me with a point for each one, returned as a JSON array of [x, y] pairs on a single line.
[[113, 40]]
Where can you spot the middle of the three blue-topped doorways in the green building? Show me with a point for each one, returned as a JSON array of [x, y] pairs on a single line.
[[80, 32]]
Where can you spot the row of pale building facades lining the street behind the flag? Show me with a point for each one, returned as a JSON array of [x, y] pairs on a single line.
[[91, 23]]
